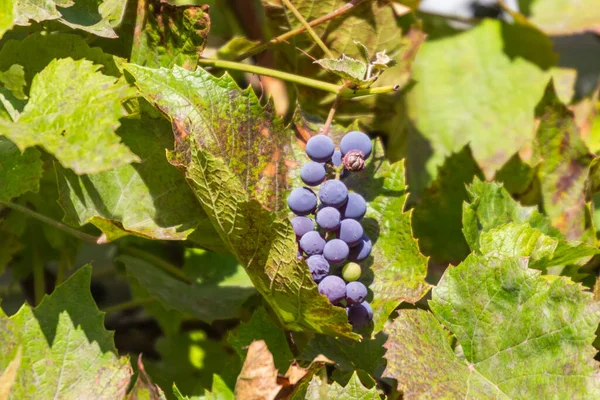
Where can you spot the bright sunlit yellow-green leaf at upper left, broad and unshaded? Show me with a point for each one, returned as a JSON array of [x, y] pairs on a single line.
[[72, 112]]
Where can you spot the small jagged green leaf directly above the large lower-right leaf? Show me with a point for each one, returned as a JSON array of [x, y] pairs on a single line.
[[491, 206]]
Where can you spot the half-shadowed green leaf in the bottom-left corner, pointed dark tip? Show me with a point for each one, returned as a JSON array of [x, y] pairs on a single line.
[[66, 352]]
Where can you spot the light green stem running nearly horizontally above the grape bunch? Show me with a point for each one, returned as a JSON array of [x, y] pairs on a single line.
[[343, 91]]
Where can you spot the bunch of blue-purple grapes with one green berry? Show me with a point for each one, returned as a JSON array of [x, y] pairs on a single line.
[[337, 241]]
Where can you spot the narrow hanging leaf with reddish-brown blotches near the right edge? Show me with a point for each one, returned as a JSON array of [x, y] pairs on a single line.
[[563, 168]]
